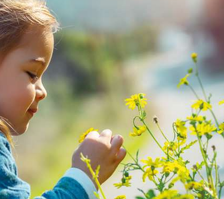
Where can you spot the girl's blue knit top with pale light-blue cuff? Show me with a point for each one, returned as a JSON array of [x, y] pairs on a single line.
[[75, 184]]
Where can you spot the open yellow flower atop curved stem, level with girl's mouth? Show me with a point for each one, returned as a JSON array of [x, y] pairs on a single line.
[[136, 100]]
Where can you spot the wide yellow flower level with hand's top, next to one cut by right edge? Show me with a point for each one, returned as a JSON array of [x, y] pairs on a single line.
[[203, 128]]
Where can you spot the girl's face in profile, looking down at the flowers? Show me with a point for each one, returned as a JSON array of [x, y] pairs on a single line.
[[21, 72]]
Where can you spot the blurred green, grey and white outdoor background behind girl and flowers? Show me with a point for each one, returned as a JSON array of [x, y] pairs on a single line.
[[107, 51]]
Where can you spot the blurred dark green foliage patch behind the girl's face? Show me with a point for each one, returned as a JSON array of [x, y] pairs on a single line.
[[95, 59]]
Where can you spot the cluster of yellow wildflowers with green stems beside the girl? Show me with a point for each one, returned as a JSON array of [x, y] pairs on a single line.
[[202, 180]]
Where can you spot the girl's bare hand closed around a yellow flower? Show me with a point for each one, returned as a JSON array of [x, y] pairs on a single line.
[[102, 149]]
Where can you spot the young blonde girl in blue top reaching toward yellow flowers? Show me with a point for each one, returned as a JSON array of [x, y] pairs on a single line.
[[26, 47]]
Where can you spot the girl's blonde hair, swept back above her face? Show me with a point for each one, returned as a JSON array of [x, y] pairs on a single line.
[[16, 16]]
